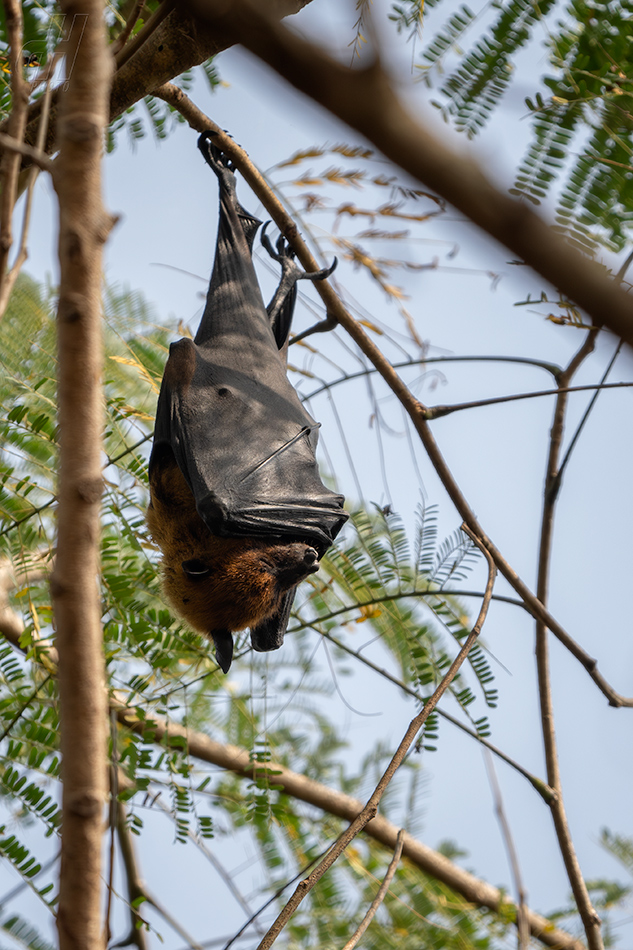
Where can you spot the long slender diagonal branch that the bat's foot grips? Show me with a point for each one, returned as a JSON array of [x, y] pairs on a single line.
[[412, 406]]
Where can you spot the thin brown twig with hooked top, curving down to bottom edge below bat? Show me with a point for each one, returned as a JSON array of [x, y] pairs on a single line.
[[370, 809]]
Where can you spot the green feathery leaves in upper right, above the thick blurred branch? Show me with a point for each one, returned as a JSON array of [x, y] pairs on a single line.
[[581, 108]]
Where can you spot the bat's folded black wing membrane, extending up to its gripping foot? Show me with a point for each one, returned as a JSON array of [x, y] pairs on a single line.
[[239, 433]]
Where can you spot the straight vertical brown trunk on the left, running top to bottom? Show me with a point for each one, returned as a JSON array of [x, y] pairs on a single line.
[[83, 228]]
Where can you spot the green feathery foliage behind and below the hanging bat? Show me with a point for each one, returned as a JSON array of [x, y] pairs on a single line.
[[272, 706]]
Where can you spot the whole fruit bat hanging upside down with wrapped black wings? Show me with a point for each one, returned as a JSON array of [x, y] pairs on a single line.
[[237, 505]]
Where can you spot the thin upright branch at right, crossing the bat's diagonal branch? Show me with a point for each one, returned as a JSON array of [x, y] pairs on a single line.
[[589, 917]]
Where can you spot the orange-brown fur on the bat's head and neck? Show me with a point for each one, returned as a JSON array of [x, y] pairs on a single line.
[[247, 577]]
